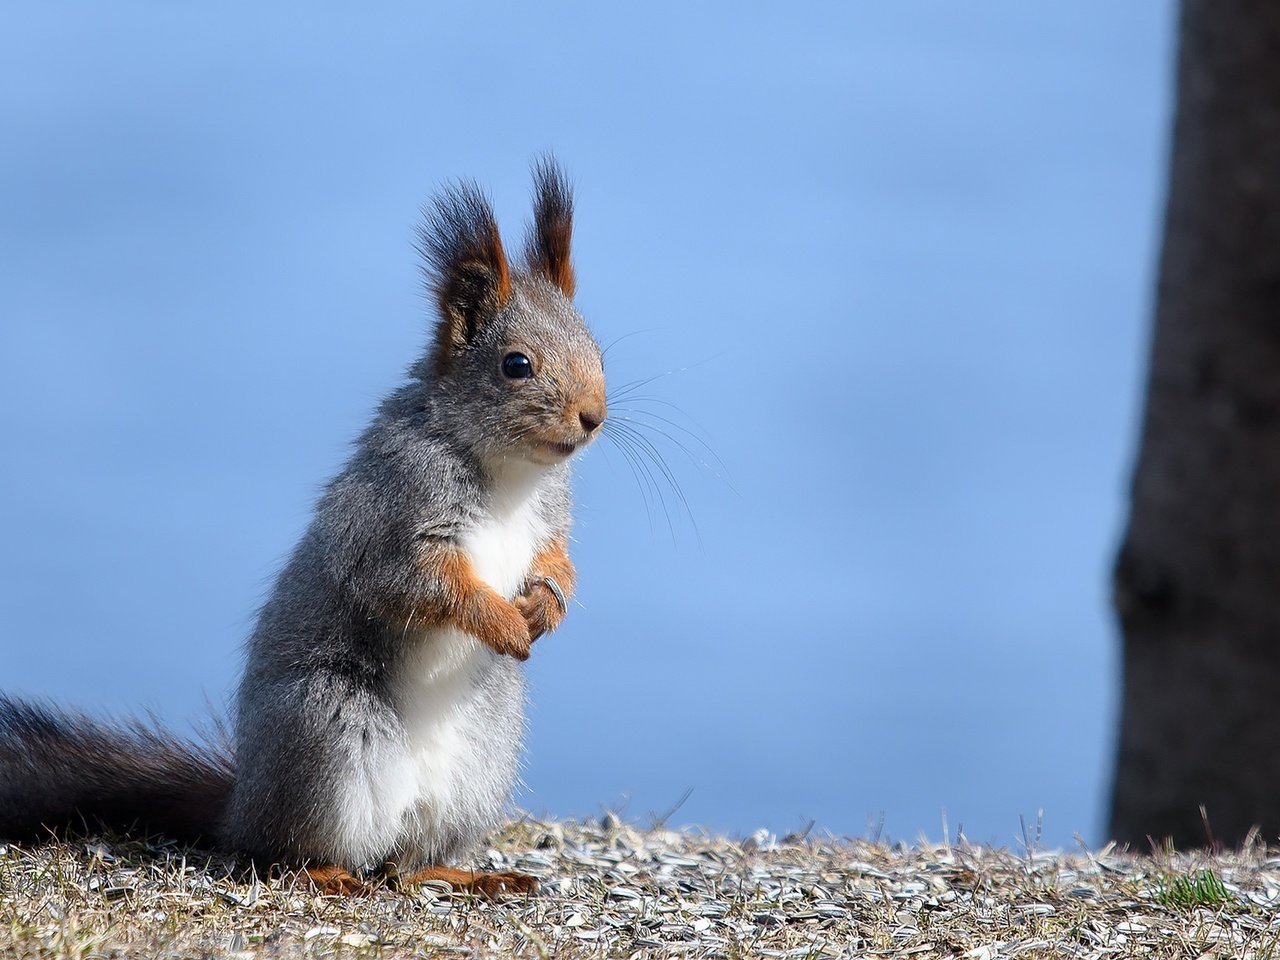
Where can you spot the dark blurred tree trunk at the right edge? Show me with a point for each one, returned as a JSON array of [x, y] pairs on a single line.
[[1199, 575]]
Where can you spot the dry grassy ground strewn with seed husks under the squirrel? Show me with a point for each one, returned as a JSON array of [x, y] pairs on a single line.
[[611, 890]]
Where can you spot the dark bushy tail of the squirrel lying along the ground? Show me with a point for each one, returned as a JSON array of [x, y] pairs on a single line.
[[65, 770]]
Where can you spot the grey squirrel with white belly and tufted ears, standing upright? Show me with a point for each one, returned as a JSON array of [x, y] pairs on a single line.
[[381, 715]]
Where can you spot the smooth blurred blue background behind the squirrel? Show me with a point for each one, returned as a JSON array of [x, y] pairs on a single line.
[[890, 263]]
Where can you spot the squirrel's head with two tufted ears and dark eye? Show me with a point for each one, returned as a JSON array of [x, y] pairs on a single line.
[[513, 359]]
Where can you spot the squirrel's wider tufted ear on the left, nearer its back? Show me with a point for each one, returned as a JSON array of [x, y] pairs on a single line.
[[464, 263]]
